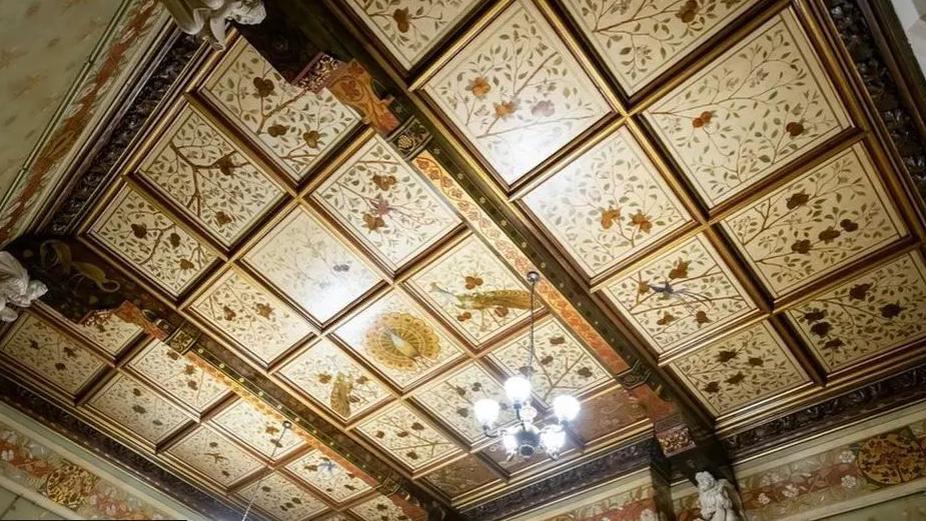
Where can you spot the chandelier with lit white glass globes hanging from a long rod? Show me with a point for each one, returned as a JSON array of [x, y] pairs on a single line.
[[524, 438]]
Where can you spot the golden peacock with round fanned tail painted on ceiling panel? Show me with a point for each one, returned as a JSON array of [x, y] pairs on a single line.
[[402, 341]]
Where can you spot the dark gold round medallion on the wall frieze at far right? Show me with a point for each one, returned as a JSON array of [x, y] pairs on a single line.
[[892, 458]]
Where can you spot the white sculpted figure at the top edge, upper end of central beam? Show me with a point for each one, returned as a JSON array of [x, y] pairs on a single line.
[[206, 18]]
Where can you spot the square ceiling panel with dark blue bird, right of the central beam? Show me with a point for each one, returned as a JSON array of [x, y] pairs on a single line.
[[681, 295]]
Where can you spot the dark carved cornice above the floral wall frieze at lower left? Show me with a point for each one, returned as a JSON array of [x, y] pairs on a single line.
[[80, 432]]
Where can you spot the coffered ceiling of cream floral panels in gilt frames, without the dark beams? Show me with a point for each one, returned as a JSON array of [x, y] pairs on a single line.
[[703, 170]]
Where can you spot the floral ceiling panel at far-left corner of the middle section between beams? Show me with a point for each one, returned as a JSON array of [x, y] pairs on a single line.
[[152, 242]]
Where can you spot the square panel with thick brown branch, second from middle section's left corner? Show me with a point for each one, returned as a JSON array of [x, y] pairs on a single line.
[[209, 179]]
